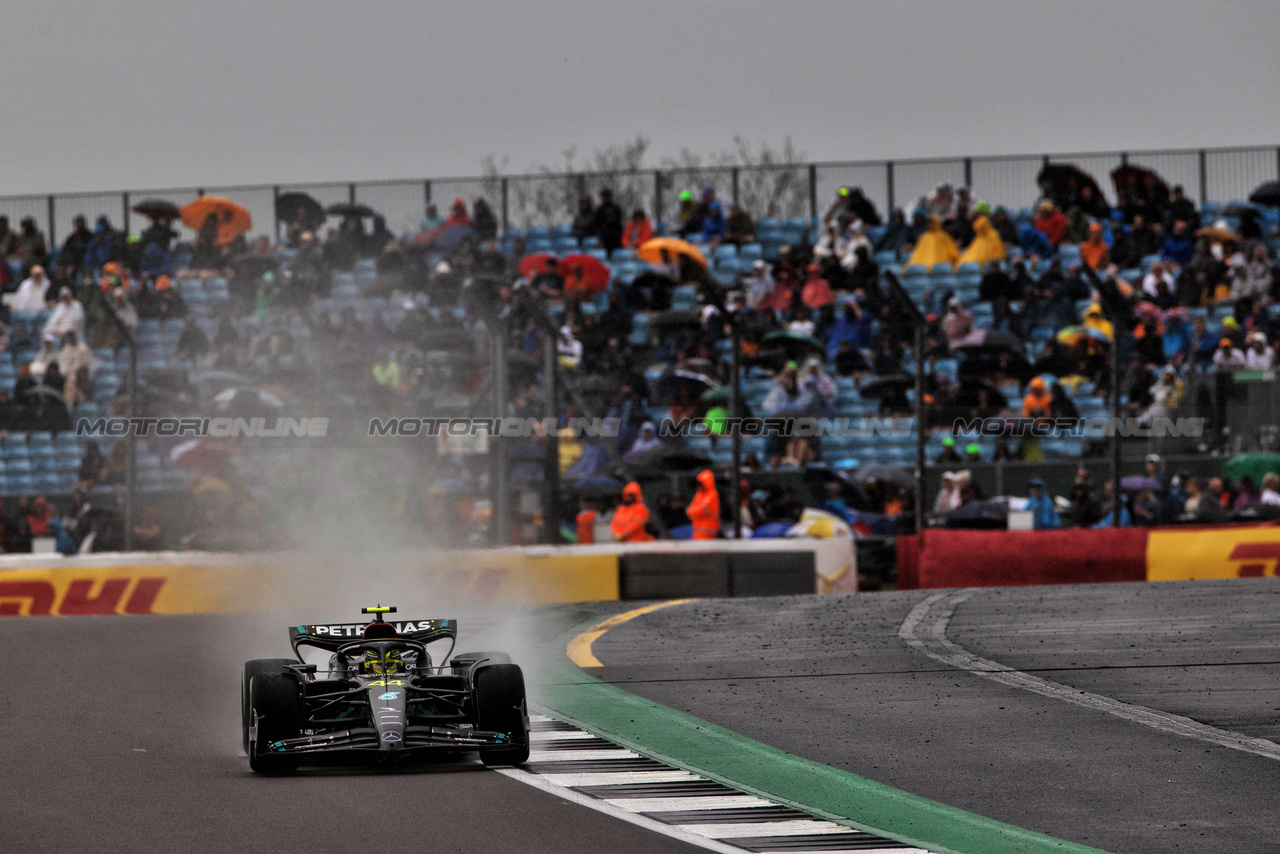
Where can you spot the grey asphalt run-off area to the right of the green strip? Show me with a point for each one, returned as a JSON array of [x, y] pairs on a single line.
[[829, 679]]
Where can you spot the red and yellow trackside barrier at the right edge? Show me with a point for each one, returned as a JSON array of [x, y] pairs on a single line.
[[958, 559]]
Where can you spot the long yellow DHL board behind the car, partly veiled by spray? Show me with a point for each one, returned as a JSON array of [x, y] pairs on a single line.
[[227, 586]]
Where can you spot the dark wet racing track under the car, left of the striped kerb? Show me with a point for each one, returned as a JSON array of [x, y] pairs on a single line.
[[124, 736]]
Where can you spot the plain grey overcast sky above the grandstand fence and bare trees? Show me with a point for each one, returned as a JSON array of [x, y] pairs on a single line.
[[150, 94]]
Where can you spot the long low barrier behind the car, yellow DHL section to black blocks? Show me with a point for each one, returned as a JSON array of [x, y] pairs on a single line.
[[205, 583]]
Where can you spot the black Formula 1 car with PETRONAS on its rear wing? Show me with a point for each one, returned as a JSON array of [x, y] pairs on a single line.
[[382, 698]]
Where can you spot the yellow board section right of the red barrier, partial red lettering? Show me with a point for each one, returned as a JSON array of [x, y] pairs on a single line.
[[1213, 554]]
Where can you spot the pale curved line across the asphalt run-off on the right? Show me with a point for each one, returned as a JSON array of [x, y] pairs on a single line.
[[926, 631]]
